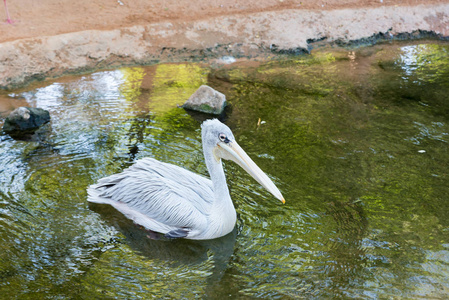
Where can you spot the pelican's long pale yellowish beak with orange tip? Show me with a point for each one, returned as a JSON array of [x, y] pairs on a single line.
[[234, 152]]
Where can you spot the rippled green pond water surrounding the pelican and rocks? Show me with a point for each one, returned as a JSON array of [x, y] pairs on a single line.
[[357, 141]]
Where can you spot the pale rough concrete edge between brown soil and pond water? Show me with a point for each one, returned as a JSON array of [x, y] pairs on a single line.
[[286, 31]]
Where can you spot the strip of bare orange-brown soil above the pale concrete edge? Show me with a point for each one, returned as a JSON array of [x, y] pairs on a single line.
[[34, 18]]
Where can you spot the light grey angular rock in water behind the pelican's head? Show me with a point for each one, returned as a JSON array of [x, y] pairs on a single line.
[[206, 100]]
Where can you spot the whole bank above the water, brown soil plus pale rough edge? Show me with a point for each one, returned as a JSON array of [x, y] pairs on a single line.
[[50, 38]]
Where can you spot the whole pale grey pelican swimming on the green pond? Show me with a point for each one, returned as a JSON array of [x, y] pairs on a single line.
[[178, 203]]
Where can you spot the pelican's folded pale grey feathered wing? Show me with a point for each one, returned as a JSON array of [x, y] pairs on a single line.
[[159, 196]]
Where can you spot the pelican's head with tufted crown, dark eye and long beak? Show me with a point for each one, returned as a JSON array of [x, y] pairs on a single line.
[[218, 138]]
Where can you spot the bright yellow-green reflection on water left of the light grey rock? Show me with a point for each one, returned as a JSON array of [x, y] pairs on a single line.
[[162, 89]]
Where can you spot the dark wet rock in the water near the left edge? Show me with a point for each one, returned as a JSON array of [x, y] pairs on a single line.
[[25, 120]]
